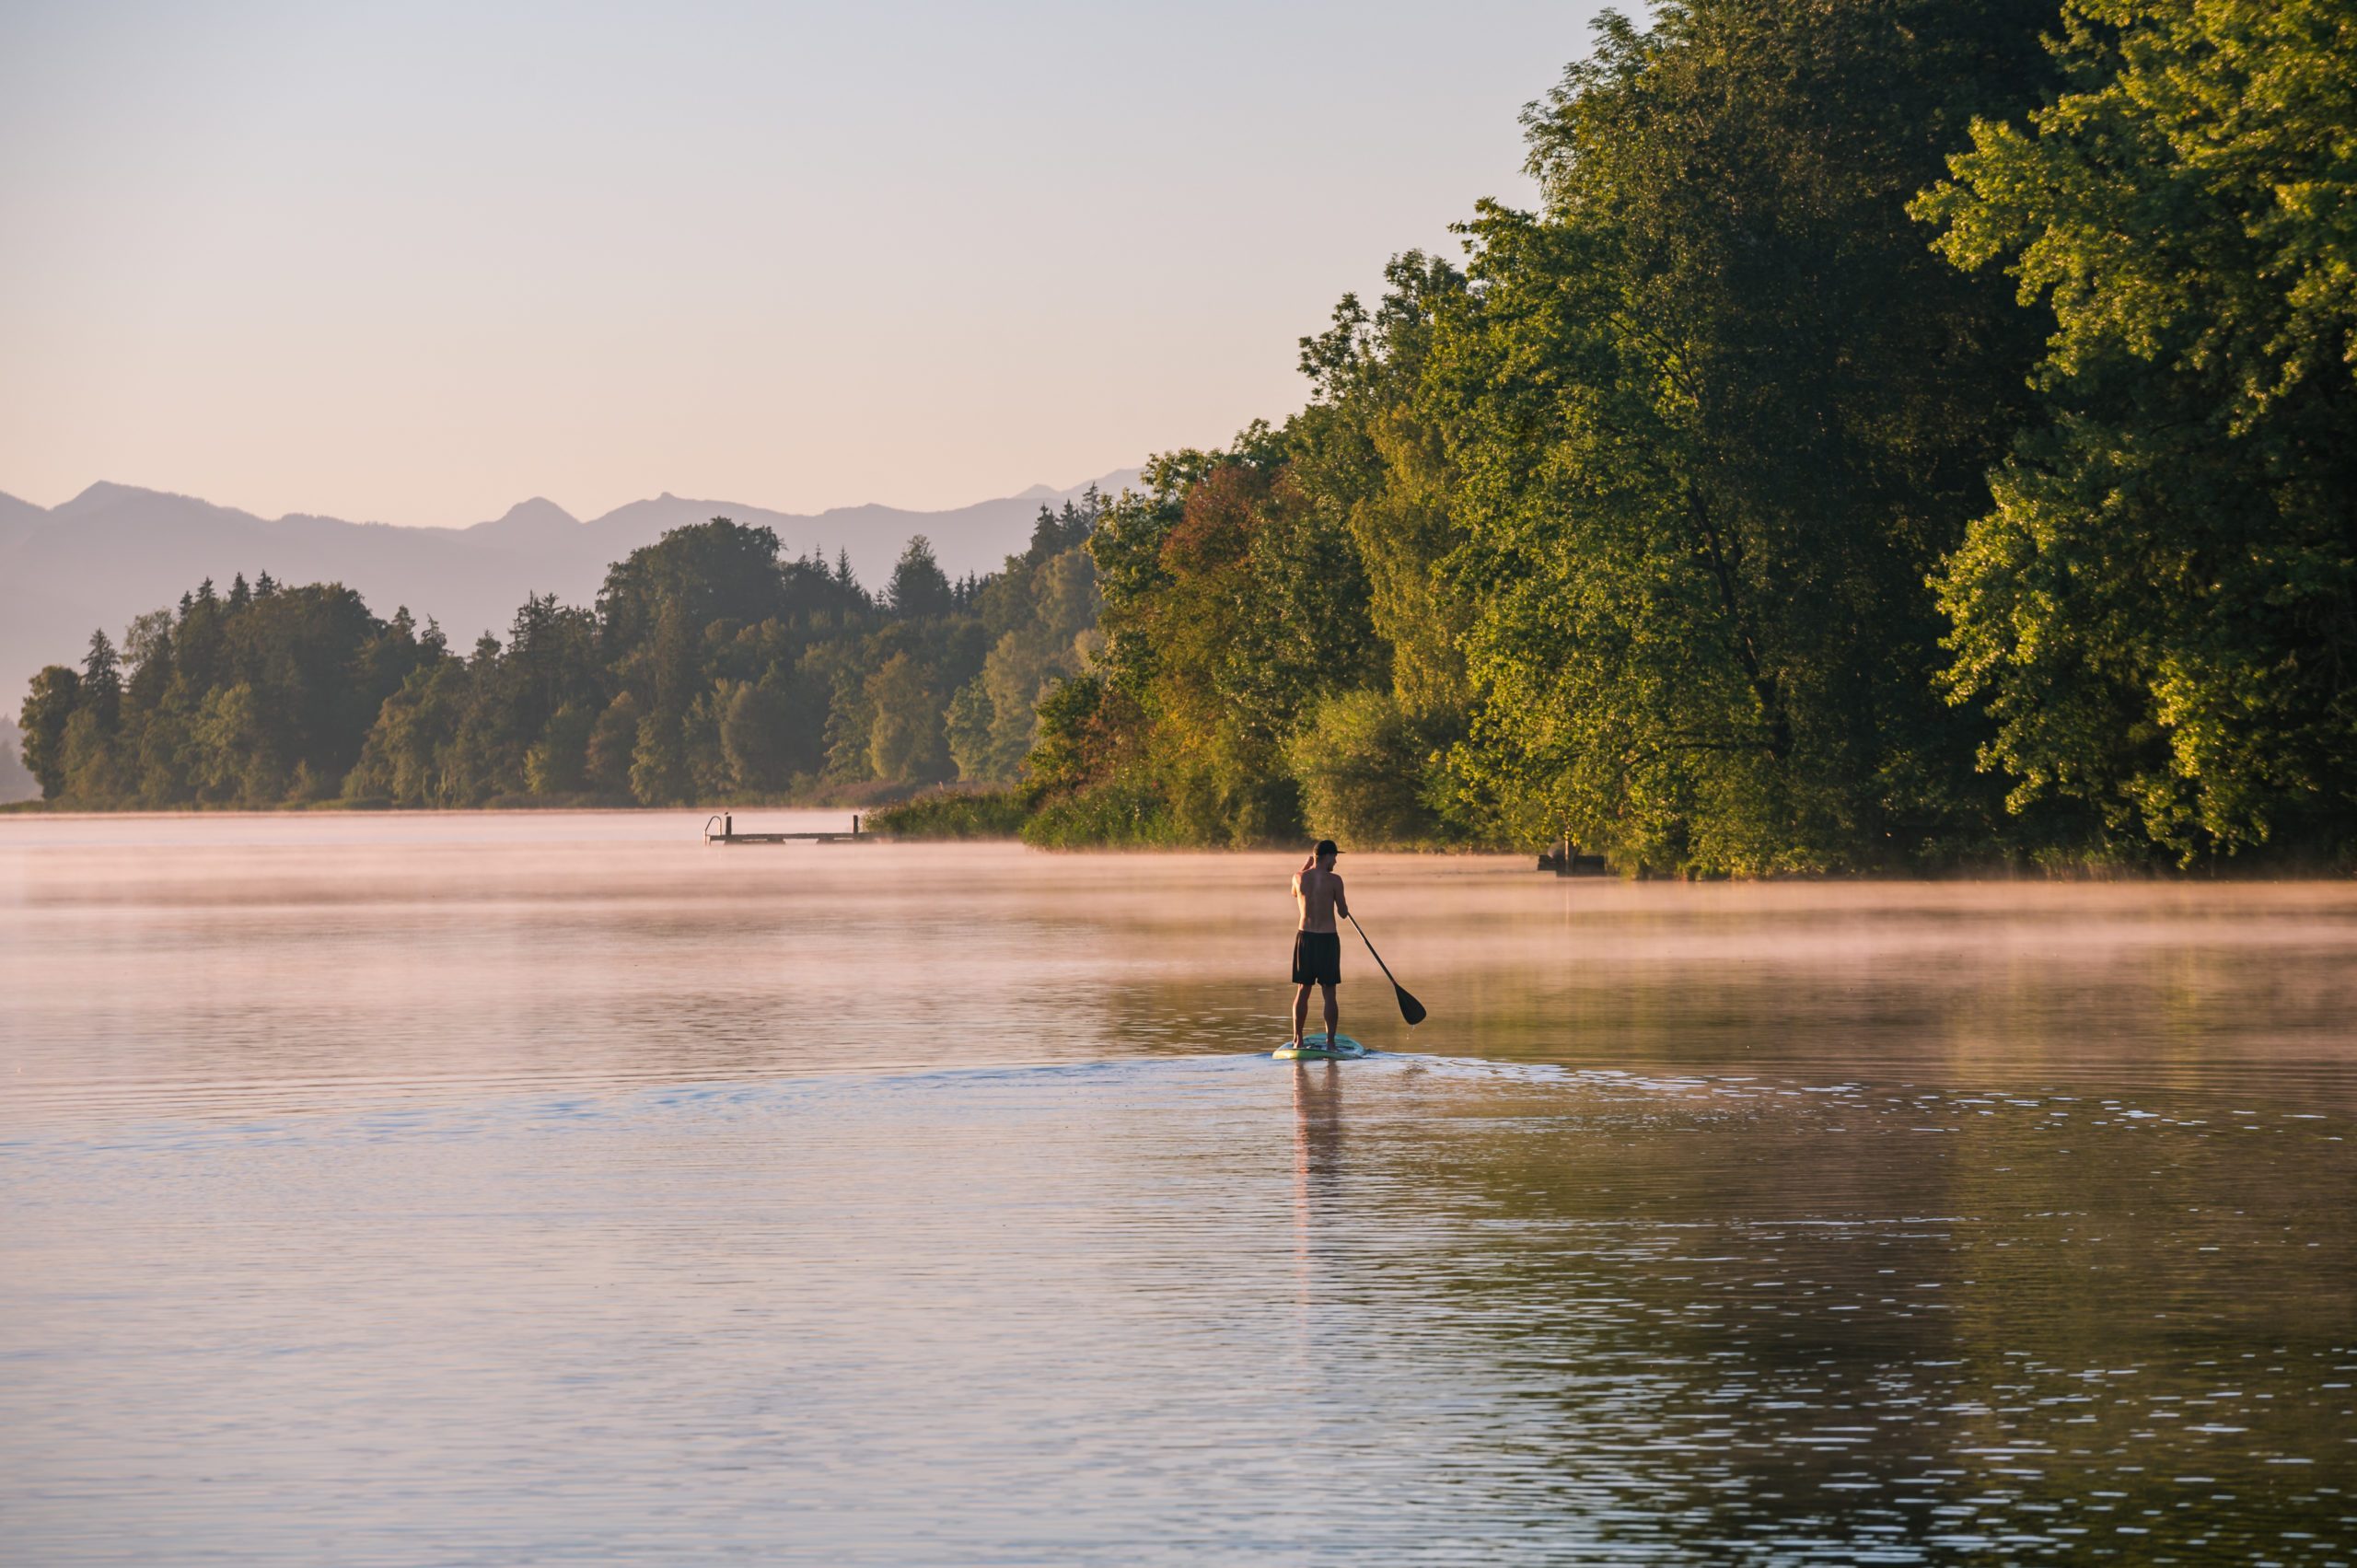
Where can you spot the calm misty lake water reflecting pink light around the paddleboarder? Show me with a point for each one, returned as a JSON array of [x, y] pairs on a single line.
[[555, 1190]]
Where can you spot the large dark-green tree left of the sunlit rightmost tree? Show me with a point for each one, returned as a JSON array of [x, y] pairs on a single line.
[[1712, 416]]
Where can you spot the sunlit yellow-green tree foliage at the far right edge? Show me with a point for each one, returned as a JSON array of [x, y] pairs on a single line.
[[2160, 610]]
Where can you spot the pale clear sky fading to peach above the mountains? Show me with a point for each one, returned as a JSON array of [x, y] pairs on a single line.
[[418, 261]]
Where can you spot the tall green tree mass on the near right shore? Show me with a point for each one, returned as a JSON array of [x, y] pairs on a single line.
[[1908, 433]]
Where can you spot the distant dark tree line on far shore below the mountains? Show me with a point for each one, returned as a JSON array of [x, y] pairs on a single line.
[[713, 666]]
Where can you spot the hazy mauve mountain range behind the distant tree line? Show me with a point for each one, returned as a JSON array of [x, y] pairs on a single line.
[[114, 553]]
